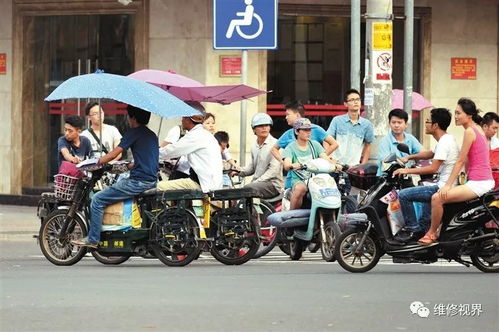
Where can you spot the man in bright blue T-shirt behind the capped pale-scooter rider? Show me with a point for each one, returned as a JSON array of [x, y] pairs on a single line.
[[295, 111]]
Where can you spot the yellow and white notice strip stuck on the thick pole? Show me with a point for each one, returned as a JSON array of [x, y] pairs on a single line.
[[382, 52]]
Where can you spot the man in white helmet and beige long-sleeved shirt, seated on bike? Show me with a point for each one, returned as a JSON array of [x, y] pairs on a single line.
[[266, 170]]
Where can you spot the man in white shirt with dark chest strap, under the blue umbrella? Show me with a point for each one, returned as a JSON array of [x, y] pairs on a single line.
[[100, 132]]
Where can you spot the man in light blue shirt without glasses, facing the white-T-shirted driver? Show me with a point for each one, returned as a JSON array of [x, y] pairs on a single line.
[[397, 119]]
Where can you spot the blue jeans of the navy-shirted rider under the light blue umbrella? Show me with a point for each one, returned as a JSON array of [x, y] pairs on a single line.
[[122, 190]]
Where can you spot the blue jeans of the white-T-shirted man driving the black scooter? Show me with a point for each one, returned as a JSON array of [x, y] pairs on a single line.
[[420, 194]]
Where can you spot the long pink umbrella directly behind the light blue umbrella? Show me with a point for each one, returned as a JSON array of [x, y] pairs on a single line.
[[190, 90]]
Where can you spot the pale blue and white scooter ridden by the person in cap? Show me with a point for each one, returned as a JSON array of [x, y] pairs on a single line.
[[317, 224]]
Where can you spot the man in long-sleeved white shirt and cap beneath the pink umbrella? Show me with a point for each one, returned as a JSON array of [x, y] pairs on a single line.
[[202, 152]]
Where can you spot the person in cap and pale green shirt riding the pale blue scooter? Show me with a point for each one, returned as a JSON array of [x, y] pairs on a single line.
[[299, 152]]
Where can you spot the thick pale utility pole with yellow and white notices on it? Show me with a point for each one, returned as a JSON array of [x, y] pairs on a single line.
[[378, 80]]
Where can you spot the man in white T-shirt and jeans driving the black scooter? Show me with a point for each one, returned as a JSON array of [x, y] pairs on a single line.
[[445, 155]]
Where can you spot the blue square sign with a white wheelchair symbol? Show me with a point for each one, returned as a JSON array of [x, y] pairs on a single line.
[[244, 24]]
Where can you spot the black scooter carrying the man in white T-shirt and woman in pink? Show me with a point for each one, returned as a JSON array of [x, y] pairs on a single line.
[[463, 231]]
